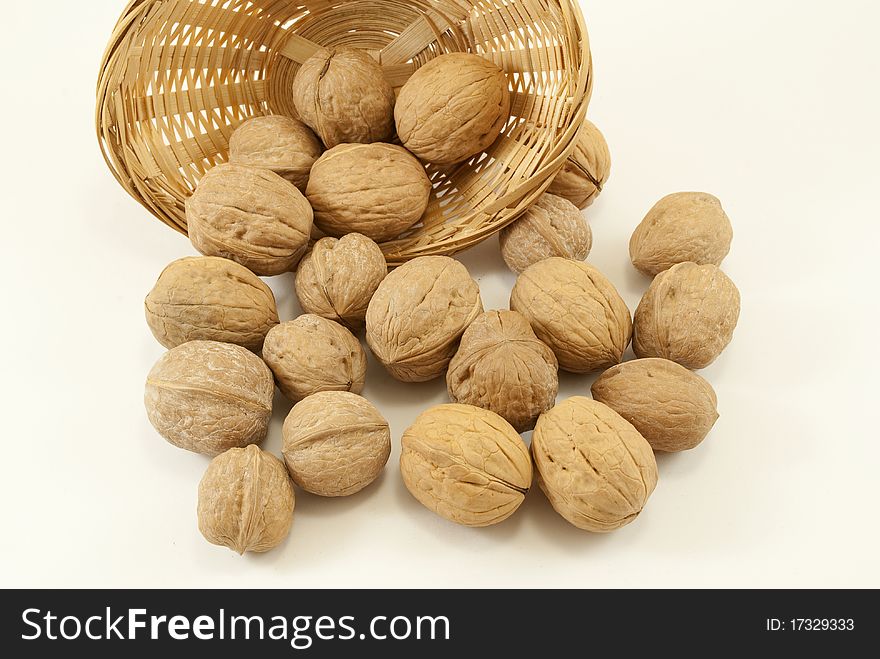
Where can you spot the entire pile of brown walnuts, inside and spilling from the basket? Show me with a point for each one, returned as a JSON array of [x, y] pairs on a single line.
[[334, 170]]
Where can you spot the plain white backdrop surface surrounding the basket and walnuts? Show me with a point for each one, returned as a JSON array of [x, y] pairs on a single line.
[[772, 106]]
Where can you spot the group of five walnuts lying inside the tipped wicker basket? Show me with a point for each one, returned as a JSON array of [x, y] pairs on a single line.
[[280, 182]]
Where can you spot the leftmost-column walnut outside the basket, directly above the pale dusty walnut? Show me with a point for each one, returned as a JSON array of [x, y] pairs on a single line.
[[210, 299]]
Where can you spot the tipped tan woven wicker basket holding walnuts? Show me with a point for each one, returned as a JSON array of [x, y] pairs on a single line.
[[180, 75]]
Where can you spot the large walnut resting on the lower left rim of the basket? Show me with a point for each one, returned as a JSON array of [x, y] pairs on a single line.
[[249, 215]]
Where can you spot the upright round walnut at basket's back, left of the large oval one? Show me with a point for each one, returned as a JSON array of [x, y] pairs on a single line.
[[343, 96]]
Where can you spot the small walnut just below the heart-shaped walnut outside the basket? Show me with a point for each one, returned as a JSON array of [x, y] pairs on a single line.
[[313, 354]]
